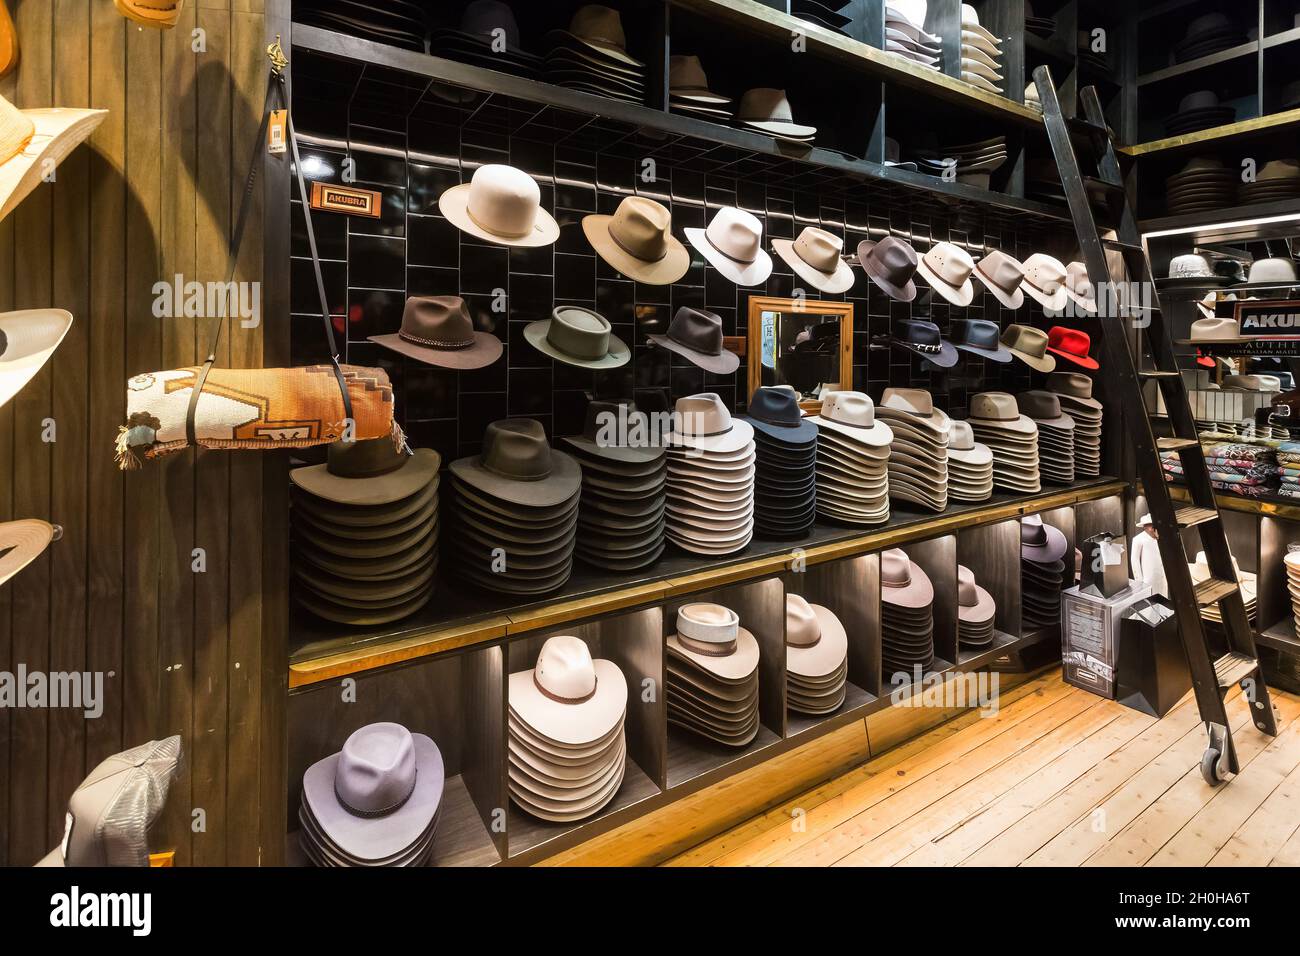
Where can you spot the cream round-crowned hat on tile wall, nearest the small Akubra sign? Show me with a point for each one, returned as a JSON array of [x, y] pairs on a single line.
[[501, 205]]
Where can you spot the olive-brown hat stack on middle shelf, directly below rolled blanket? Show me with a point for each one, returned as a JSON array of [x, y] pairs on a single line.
[[366, 533]]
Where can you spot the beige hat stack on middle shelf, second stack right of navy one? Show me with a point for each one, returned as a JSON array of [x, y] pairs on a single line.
[[918, 455]]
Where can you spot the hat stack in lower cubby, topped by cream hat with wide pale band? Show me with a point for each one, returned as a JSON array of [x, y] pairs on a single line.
[[713, 676]]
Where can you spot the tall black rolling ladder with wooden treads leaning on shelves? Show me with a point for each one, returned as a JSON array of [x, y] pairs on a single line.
[[1113, 262]]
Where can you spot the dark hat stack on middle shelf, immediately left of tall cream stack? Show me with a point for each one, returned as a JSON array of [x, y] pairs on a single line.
[[621, 516]]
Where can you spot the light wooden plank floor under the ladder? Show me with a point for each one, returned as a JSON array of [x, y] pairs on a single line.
[[1056, 778]]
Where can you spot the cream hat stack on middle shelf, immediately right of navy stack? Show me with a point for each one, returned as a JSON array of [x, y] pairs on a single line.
[[852, 460]]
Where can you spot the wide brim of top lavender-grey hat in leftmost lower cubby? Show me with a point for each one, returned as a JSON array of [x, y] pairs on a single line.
[[374, 838]]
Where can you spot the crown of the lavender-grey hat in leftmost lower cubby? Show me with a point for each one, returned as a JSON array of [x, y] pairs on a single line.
[[376, 769]]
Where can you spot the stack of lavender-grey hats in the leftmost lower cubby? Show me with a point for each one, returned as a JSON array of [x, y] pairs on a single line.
[[375, 803]]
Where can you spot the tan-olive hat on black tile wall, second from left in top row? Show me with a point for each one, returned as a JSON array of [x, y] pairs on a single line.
[[638, 241]]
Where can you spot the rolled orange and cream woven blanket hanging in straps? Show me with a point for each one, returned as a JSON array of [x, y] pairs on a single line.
[[259, 409]]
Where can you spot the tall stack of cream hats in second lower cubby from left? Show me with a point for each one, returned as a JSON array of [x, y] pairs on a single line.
[[567, 746]]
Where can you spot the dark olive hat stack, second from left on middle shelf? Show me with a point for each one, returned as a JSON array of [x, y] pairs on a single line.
[[515, 512]]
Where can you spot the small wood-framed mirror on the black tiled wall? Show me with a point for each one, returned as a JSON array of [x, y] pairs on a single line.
[[805, 344]]
